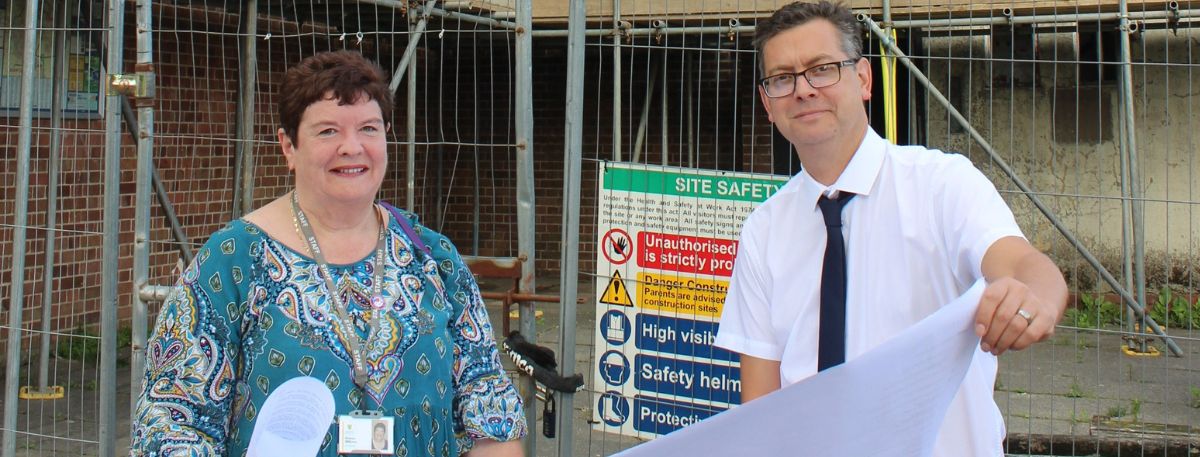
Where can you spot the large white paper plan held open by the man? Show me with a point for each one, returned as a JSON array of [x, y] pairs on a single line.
[[887, 402]]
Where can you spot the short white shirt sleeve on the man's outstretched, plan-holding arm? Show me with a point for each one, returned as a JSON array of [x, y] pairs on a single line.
[[974, 217]]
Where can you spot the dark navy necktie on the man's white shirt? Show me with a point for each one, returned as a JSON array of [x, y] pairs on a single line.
[[832, 341]]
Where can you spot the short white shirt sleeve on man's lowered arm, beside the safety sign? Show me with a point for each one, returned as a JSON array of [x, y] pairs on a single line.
[[746, 320]]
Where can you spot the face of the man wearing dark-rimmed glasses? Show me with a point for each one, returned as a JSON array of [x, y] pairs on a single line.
[[817, 117]]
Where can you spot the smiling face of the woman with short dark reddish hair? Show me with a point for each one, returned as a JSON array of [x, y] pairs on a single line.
[[341, 152]]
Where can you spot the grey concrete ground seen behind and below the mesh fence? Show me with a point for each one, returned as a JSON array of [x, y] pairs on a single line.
[[1076, 395]]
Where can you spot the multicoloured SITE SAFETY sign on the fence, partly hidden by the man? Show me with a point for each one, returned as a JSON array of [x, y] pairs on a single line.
[[667, 240]]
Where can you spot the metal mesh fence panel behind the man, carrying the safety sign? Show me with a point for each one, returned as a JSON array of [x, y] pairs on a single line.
[[1042, 87]]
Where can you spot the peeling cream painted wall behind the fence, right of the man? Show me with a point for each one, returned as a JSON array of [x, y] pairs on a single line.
[[1063, 137]]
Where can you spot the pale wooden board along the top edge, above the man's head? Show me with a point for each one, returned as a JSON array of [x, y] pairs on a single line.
[[557, 11]]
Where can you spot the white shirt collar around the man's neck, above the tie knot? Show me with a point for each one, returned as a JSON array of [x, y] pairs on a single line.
[[860, 176]]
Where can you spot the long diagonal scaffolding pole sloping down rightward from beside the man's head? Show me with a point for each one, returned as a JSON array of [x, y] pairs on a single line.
[[1021, 184]]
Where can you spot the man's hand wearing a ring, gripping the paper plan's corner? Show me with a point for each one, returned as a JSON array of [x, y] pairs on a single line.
[[1012, 317]]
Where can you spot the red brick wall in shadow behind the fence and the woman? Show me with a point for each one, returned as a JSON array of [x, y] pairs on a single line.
[[465, 131]]
